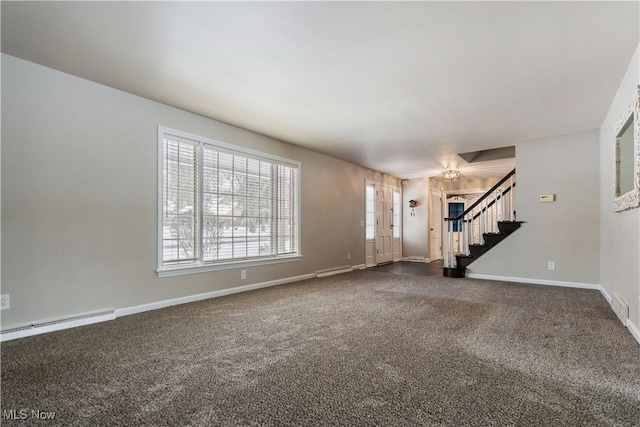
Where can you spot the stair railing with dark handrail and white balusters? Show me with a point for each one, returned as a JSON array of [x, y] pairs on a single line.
[[468, 228]]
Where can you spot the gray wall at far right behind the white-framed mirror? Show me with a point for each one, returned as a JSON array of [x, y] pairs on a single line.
[[619, 232]]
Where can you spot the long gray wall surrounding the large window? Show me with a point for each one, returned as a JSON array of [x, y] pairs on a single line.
[[79, 198]]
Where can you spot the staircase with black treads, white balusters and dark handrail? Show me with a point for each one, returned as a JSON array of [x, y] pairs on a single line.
[[483, 225]]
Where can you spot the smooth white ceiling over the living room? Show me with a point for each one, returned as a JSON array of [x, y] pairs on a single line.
[[394, 86]]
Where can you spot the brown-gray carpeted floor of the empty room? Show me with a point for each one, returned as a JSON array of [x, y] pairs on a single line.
[[364, 348]]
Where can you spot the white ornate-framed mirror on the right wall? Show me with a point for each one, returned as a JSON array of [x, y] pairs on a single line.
[[627, 158]]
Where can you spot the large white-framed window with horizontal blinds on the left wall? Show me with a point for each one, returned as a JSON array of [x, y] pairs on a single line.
[[222, 205]]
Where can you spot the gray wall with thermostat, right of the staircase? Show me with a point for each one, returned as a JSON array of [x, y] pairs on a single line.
[[565, 231]]
